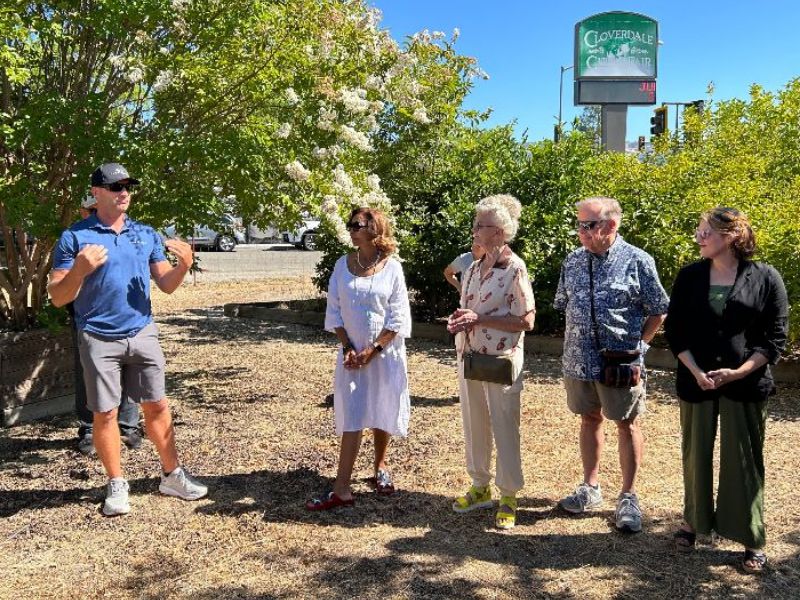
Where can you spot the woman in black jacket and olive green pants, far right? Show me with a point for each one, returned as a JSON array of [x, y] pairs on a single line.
[[727, 322]]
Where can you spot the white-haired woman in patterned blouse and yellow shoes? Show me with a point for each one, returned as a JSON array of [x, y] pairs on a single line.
[[497, 307]]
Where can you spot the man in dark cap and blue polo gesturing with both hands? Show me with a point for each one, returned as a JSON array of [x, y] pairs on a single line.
[[103, 265]]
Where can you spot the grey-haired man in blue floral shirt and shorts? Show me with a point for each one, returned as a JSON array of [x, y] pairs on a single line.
[[629, 306]]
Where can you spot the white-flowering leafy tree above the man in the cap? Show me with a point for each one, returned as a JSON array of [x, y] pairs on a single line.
[[273, 107]]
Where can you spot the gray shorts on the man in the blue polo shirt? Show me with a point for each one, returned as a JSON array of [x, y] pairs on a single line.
[[133, 367]]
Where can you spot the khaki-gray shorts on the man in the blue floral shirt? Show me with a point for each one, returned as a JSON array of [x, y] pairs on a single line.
[[618, 404]]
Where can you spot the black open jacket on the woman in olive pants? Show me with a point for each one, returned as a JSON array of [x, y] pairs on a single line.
[[755, 319]]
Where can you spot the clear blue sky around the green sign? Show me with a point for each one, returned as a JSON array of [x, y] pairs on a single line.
[[522, 45]]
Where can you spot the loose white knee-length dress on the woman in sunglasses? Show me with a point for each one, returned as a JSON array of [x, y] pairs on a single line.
[[375, 396]]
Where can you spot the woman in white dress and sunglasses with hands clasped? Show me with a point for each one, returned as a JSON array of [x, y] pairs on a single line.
[[368, 310]]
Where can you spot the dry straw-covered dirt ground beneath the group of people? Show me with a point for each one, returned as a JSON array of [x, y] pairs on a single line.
[[255, 421]]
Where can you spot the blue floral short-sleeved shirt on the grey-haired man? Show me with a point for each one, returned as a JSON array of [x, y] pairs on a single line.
[[626, 292]]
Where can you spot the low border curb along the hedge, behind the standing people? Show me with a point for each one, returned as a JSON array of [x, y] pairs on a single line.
[[659, 358]]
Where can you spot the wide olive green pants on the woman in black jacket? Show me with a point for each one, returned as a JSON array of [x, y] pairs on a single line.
[[739, 514]]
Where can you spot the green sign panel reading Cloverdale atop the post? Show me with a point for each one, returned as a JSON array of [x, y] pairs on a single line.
[[616, 44]]
